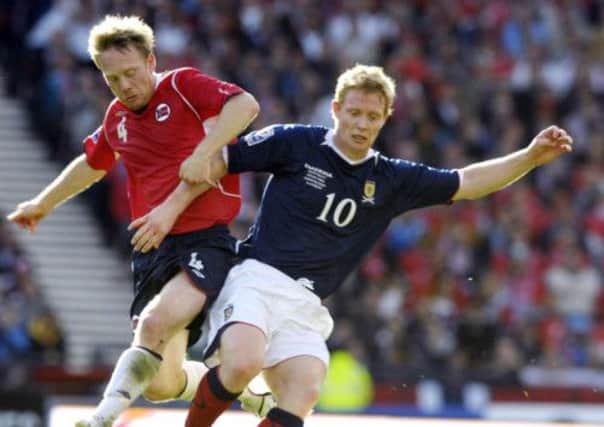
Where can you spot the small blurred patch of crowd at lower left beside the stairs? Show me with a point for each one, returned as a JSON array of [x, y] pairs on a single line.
[[29, 333]]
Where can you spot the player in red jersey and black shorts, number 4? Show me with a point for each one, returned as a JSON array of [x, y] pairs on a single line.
[[162, 126]]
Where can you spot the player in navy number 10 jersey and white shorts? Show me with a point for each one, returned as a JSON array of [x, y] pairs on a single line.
[[329, 198]]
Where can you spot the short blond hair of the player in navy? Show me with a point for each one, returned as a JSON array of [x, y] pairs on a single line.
[[368, 78]]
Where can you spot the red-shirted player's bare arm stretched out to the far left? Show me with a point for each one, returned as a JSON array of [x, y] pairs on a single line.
[[76, 177]]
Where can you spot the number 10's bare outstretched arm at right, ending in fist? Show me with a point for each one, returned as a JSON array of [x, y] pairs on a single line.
[[480, 179]]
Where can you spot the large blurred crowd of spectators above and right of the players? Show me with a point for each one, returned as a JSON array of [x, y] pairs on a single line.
[[477, 290]]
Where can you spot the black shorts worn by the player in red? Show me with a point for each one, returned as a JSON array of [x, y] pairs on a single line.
[[206, 256]]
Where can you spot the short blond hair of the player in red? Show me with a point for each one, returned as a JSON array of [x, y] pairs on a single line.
[[120, 32]]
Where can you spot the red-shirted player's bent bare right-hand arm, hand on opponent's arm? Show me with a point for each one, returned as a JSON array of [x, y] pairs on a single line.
[[236, 115]]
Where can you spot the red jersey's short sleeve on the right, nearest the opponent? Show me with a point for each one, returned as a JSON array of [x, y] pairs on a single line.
[[205, 93]]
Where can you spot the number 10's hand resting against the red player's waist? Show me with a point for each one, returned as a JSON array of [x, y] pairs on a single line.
[[152, 228]]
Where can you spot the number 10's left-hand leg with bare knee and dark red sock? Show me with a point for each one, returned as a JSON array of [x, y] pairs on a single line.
[[242, 357]]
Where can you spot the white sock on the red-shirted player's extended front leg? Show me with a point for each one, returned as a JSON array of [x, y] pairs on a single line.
[[132, 374]]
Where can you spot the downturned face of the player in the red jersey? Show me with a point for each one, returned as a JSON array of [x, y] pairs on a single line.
[[129, 75]]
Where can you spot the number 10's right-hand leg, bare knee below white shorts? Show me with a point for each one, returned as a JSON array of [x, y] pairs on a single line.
[[296, 383]]
